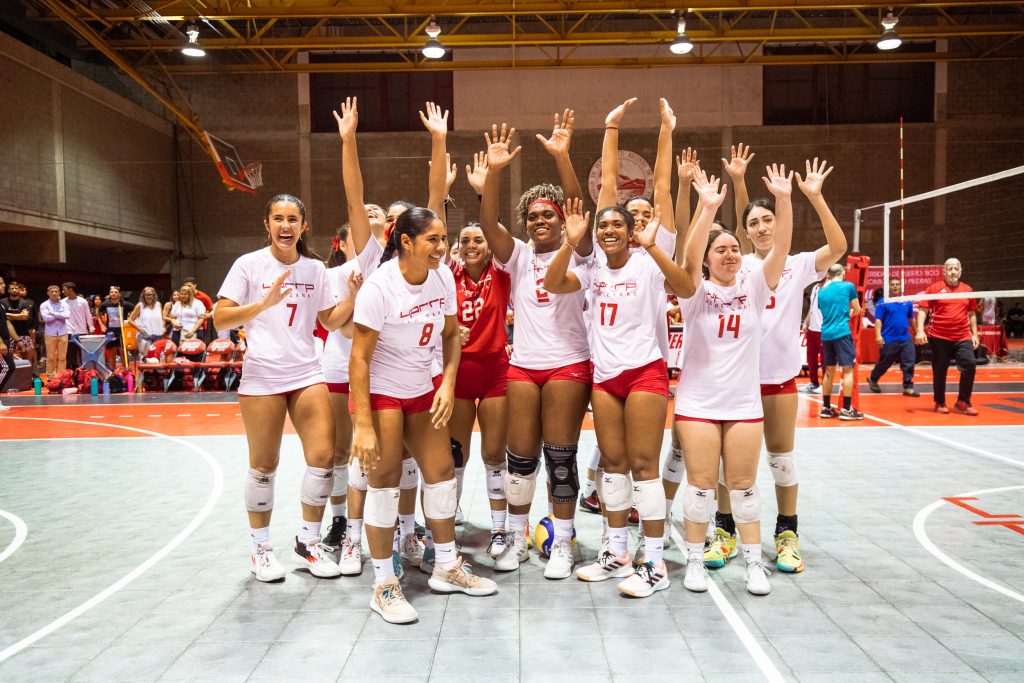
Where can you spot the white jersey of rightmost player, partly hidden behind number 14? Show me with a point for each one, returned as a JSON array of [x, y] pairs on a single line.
[[781, 354]]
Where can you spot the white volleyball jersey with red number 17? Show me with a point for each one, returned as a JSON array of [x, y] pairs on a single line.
[[626, 313]]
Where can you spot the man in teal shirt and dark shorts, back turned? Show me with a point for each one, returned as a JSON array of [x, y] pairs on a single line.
[[838, 301]]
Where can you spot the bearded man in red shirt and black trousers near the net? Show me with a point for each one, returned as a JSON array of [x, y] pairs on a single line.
[[953, 334]]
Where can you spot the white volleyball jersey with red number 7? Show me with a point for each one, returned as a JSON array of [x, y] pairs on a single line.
[[280, 354]]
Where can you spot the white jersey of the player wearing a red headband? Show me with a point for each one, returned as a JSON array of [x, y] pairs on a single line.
[[549, 328]]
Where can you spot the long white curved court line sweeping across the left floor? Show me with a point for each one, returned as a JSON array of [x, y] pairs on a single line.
[[219, 485]]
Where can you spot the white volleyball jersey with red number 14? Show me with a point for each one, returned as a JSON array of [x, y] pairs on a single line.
[[719, 373]]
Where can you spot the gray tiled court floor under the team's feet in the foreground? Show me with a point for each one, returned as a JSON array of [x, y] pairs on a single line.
[[874, 604]]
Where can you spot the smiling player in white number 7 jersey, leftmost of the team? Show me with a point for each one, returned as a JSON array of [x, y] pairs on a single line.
[[278, 293]]
